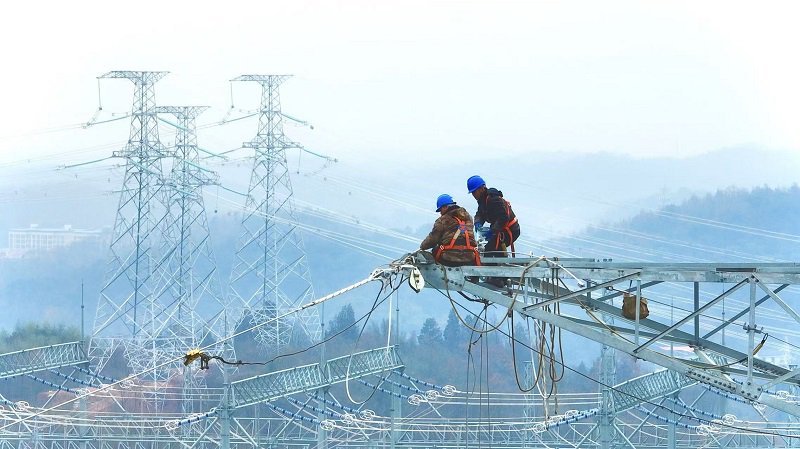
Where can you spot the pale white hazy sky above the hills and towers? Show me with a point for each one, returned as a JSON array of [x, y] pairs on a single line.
[[422, 79]]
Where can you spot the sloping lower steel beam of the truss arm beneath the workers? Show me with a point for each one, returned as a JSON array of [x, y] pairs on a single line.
[[454, 280]]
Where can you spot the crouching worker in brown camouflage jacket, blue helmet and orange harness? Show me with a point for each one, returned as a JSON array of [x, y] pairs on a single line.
[[452, 238]]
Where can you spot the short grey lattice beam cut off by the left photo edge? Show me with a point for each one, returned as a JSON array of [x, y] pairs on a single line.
[[42, 358]]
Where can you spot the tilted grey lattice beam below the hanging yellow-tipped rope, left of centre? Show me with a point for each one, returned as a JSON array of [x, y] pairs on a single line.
[[268, 387]]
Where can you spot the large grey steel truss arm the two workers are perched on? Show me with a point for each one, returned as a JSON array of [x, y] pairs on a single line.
[[539, 282]]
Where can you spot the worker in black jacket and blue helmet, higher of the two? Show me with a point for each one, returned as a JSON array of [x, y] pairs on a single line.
[[495, 210]]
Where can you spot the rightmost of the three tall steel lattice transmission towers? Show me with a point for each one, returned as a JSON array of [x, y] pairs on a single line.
[[270, 274]]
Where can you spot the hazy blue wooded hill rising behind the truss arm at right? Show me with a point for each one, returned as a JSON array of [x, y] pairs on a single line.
[[731, 225]]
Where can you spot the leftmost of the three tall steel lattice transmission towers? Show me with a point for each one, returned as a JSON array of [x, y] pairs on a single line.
[[129, 314]]
